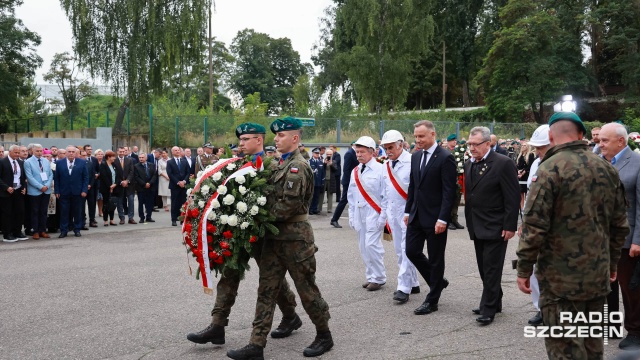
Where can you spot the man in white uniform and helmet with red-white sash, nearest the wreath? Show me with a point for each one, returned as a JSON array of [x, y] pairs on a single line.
[[367, 211]]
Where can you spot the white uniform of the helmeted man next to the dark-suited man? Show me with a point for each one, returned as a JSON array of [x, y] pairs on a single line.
[[407, 274]]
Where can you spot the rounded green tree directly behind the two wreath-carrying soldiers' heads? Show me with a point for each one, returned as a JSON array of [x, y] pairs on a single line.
[[267, 66]]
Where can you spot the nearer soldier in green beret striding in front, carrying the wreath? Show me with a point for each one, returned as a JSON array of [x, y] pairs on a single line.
[[292, 250]]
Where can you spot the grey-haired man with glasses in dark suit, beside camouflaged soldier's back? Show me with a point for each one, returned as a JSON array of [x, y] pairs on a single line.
[[492, 203]]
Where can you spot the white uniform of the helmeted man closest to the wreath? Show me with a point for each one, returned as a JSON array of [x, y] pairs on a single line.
[[366, 221]]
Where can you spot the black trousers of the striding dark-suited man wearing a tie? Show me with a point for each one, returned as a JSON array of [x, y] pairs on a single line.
[[432, 267]]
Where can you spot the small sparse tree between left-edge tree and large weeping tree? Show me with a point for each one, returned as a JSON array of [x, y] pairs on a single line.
[[63, 72]]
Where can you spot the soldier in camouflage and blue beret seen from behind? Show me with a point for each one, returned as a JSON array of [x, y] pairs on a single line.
[[575, 224]]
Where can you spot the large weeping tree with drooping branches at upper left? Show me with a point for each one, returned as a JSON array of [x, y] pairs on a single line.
[[137, 44]]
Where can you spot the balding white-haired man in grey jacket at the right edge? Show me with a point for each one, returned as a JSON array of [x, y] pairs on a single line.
[[613, 147]]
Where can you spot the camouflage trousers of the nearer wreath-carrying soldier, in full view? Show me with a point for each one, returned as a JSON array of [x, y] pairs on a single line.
[[298, 258]]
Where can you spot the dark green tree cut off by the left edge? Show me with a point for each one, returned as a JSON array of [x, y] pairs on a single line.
[[18, 61]]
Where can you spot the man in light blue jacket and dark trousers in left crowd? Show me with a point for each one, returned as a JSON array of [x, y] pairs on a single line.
[[39, 177]]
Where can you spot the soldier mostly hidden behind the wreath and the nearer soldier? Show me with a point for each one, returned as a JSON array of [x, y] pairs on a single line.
[[251, 137]]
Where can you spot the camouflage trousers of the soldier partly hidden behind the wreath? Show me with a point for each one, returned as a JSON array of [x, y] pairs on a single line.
[[227, 291]]
